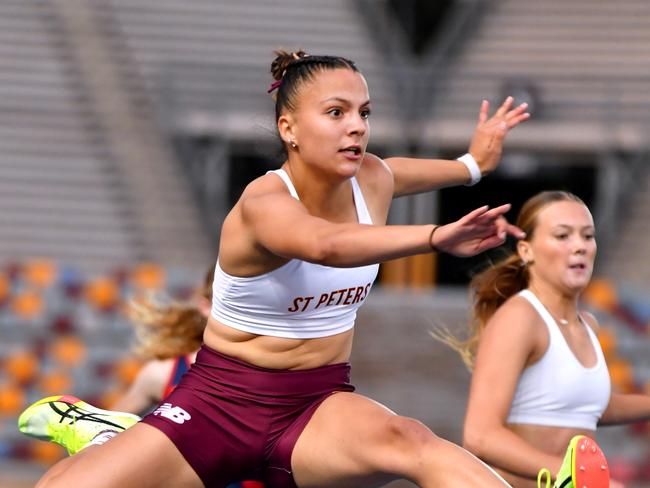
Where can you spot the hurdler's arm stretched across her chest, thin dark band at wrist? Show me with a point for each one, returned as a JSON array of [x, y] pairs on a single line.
[[281, 225]]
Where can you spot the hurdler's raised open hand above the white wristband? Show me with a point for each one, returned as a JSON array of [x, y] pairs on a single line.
[[487, 142]]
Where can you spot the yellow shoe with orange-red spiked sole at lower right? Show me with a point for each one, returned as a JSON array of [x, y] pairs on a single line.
[[584, 466]]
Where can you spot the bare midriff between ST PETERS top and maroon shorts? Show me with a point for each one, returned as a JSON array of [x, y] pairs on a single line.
[[278, 352]]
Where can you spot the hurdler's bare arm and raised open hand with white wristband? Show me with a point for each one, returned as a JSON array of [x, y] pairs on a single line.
[[414, 175]]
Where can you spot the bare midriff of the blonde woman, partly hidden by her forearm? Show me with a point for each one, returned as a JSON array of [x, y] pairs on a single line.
[[552, 440]]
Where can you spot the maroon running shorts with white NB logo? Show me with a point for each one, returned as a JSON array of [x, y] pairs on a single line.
[[232, 420]]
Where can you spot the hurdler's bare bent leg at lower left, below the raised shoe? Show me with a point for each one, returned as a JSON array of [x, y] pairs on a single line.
[[141, 457]]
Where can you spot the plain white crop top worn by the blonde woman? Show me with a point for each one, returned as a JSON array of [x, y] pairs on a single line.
[[558, 390]]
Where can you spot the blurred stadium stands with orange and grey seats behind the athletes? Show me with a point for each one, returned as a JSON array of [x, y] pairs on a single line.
[[128, 128]]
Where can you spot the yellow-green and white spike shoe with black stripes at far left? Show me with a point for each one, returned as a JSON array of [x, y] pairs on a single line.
[[70, 422]]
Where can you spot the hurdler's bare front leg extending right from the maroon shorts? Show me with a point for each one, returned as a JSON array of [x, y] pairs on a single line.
[[352, 441]]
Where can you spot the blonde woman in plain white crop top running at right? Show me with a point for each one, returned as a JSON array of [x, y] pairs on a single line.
[[539, 375]]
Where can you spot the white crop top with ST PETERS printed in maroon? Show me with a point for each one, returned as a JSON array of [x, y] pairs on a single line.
[[298, 300]]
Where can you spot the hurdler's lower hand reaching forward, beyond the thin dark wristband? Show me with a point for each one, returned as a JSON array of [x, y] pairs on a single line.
[[478, 231]]
